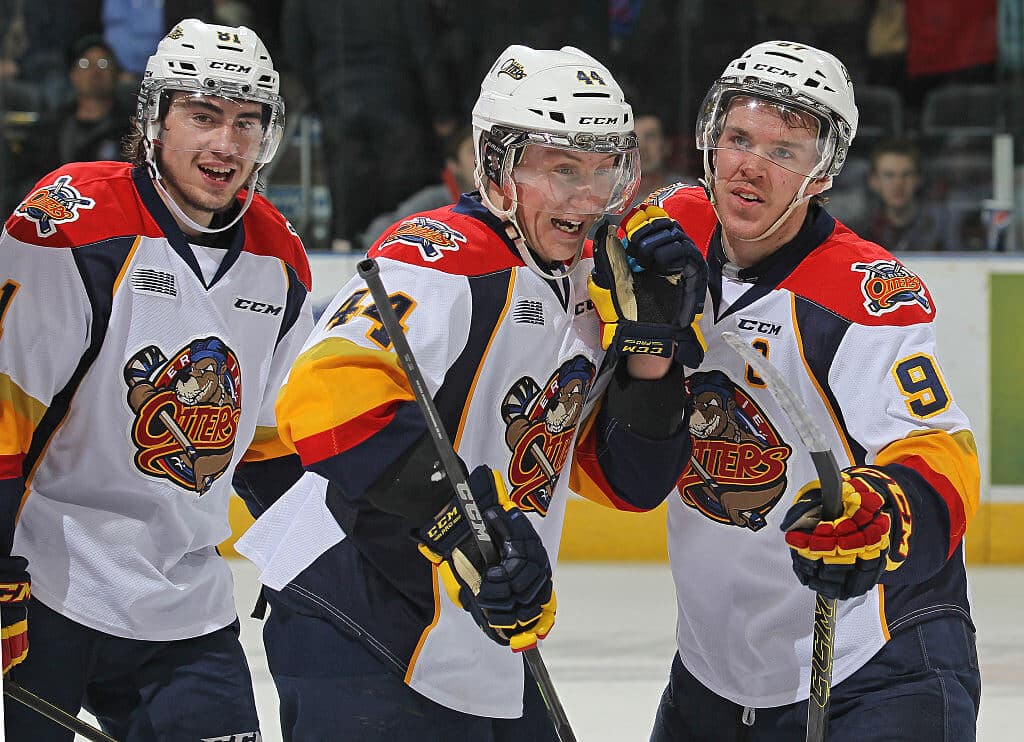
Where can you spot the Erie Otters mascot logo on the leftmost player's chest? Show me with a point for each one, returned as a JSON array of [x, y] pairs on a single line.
[[187, 412]]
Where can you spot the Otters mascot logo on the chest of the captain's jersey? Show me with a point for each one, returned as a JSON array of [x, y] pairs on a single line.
[[738, 468]]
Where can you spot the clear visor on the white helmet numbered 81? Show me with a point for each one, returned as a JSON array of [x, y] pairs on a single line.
[[236, 127]]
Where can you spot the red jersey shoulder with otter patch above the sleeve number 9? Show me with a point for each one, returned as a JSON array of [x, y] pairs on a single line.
[[863, 282]]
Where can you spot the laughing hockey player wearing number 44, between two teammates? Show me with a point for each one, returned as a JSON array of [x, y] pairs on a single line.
[[368, 640]]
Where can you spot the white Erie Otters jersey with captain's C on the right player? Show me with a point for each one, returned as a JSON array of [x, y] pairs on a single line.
[[850, 329]]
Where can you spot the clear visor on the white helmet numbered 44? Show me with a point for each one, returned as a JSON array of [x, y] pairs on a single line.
[[568, 182]]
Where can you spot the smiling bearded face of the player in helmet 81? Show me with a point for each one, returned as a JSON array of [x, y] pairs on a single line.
[[206, 150]]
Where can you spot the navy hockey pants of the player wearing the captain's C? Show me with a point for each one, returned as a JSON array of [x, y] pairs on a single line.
[[924, 686]]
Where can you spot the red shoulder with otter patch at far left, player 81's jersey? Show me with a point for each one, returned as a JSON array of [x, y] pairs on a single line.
[[81, 204]]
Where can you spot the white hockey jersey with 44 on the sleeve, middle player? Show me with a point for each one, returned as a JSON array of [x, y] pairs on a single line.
[[510, 360]]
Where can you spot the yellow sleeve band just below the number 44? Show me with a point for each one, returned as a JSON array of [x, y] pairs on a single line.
[[333, 383]]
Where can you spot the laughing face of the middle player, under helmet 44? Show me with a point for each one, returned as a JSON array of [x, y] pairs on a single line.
[[562, 194]]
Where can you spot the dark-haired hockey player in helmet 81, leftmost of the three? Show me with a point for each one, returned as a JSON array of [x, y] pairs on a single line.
[[149, 315]]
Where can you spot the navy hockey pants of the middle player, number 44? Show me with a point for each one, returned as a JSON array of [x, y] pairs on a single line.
[[332, 688]]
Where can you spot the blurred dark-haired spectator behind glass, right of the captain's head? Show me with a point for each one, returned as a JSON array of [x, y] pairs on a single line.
[[901, 219]]
